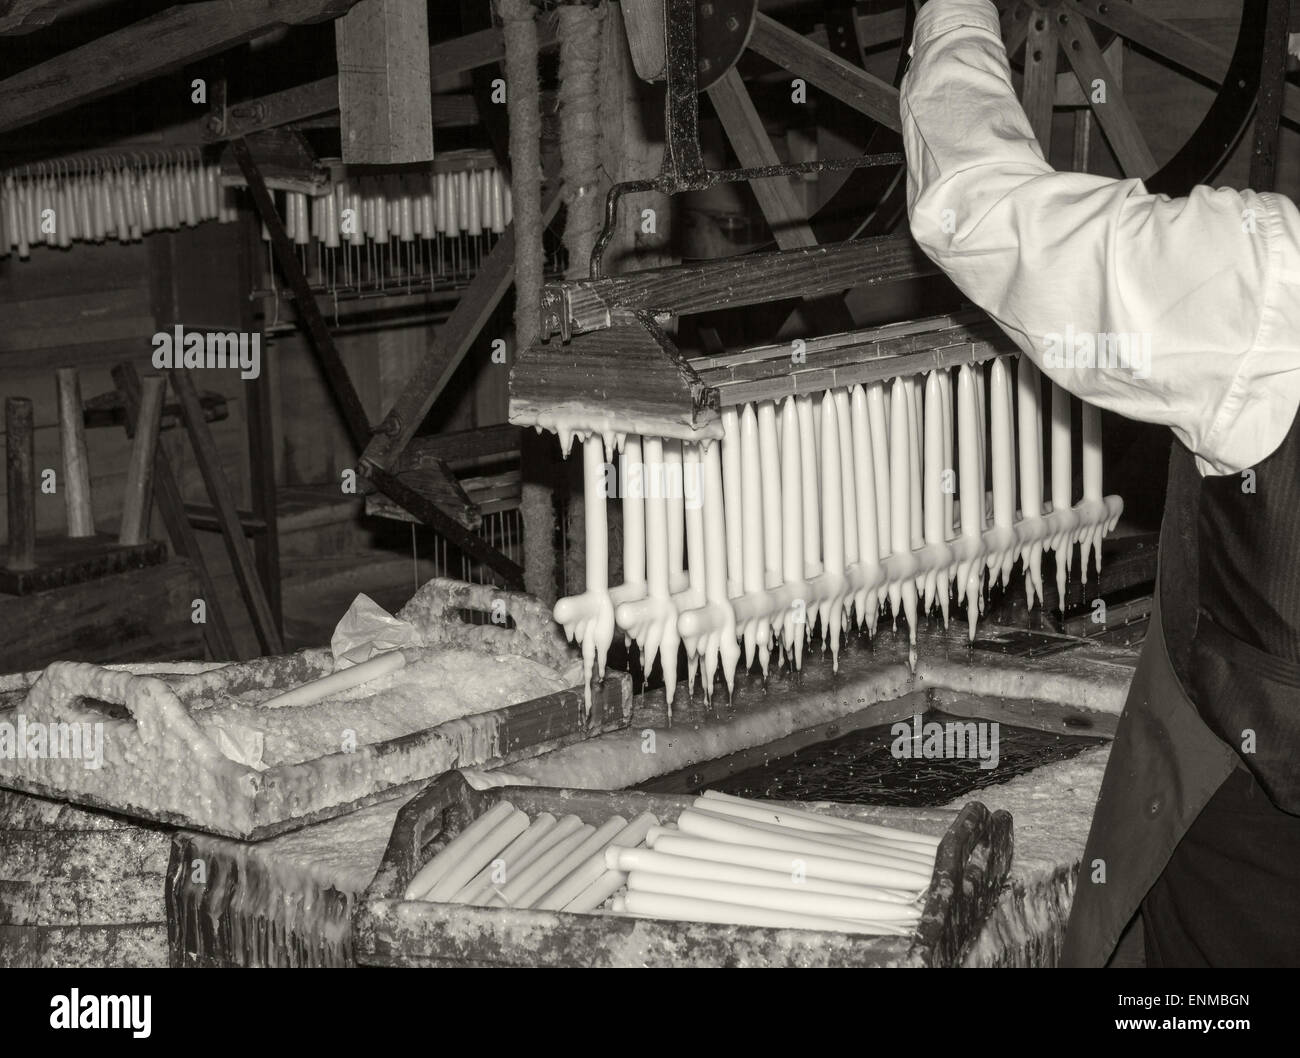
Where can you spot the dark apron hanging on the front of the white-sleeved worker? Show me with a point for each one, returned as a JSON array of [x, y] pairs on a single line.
[[1165, 764]]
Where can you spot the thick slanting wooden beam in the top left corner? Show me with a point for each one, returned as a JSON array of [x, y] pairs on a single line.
[[145, 50]]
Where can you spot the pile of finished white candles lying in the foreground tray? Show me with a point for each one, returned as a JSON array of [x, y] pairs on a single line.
[[725, 861]]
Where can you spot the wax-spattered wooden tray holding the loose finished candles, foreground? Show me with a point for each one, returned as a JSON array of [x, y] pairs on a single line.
[[972, 868]]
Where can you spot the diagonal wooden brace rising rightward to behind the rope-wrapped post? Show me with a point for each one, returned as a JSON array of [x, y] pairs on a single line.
[[450, 345]]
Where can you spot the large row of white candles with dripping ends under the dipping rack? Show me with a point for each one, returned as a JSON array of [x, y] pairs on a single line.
[[824, 508]]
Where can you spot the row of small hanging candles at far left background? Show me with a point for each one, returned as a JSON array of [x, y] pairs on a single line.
[[60, 207]]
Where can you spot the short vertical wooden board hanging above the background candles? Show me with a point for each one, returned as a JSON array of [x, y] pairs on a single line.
[[384, 86]]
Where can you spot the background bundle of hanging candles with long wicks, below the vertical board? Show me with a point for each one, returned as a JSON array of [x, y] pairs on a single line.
[[374, 229]]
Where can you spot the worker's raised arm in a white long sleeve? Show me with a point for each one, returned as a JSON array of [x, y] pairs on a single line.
[[1212, 283]]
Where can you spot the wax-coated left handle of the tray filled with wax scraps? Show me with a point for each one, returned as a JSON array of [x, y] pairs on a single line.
[[153, 705]]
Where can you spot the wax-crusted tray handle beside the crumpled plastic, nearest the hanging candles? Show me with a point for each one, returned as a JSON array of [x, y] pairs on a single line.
[[437, 609]]
